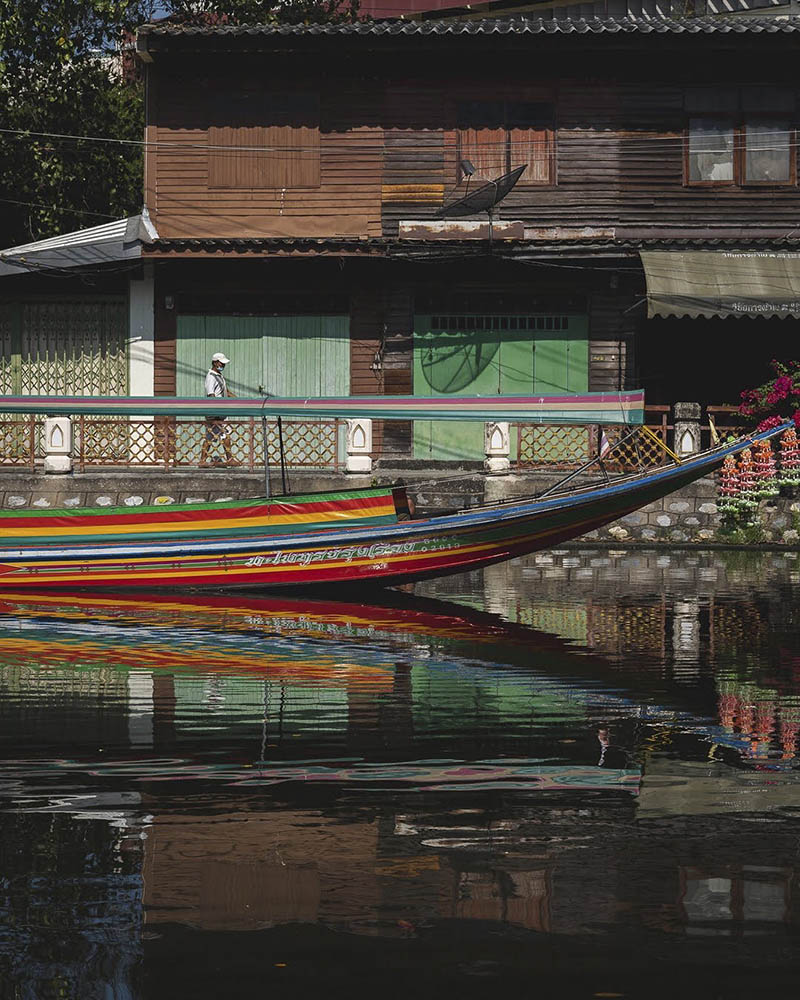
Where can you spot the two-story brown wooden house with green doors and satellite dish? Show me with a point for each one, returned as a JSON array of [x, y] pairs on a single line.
[[298, 180]]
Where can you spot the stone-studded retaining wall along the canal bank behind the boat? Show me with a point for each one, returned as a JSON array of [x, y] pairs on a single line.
[[688, 516]]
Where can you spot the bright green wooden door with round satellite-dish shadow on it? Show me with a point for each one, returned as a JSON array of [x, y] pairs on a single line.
[[501, 355]]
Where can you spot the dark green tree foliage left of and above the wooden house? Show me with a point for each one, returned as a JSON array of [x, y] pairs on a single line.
[[62, 75]]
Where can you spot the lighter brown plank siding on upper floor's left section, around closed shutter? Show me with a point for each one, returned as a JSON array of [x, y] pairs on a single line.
[[206, 192]]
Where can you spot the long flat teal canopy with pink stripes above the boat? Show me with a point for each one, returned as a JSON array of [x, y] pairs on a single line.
[[589, 408]]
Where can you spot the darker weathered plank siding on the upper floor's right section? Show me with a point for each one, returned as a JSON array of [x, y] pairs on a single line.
[[619, 166]]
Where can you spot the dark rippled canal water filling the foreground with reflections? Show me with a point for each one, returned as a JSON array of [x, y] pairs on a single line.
[[575, 775]]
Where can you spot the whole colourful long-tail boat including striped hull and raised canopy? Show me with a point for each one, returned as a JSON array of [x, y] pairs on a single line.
[[348, 536]]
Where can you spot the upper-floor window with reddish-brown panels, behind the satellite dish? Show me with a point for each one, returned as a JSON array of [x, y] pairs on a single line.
[[497, 136]]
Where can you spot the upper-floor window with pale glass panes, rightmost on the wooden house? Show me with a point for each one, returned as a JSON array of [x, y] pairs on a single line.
[[741, 136]]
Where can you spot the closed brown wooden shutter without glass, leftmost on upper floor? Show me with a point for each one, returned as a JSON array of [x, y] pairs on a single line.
[[267, 141]]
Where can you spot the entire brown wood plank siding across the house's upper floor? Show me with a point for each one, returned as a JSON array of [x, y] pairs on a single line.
[[389, 142]]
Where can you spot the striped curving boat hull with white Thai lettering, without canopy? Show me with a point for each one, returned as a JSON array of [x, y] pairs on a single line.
[[386, 553]]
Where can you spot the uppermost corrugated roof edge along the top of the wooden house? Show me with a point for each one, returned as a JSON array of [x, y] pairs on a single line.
[[492, 26]]
